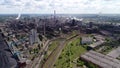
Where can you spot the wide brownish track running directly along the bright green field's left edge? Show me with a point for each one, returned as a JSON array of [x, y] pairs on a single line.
[[56, 53]]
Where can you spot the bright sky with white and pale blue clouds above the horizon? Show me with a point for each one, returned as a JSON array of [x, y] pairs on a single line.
[[61, 6]]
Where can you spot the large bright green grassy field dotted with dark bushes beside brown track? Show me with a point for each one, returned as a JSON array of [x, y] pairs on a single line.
[[72, 51]]
